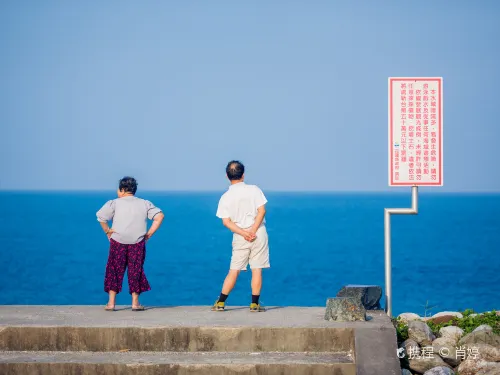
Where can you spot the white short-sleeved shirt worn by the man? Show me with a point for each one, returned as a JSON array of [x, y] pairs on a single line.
[[240, 204]]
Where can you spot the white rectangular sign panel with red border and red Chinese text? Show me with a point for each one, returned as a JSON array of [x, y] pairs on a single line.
[[415, 131]]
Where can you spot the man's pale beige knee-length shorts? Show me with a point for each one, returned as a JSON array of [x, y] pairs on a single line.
[[255, 253]]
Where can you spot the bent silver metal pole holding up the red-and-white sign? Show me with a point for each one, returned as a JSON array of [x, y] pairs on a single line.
[[387, 236]]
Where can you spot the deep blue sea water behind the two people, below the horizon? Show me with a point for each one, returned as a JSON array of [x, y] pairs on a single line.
[[53, 250]]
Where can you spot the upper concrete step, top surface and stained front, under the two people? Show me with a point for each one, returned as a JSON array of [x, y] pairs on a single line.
[[179, 329]]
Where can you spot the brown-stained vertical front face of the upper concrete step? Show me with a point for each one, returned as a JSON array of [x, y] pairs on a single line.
[[178, 339]]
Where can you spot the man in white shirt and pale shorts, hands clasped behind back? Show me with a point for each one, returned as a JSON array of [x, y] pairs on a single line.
[[242, 210]]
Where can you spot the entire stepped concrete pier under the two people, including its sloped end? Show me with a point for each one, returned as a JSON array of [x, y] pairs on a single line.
[[192, 340]]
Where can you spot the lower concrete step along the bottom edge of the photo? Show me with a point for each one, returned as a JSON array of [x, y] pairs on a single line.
[[179, 363]]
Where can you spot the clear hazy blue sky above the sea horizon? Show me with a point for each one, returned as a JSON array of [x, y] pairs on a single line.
[[169, 91]]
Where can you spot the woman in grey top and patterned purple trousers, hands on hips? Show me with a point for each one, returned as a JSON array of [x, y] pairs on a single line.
[[127, 238]]
